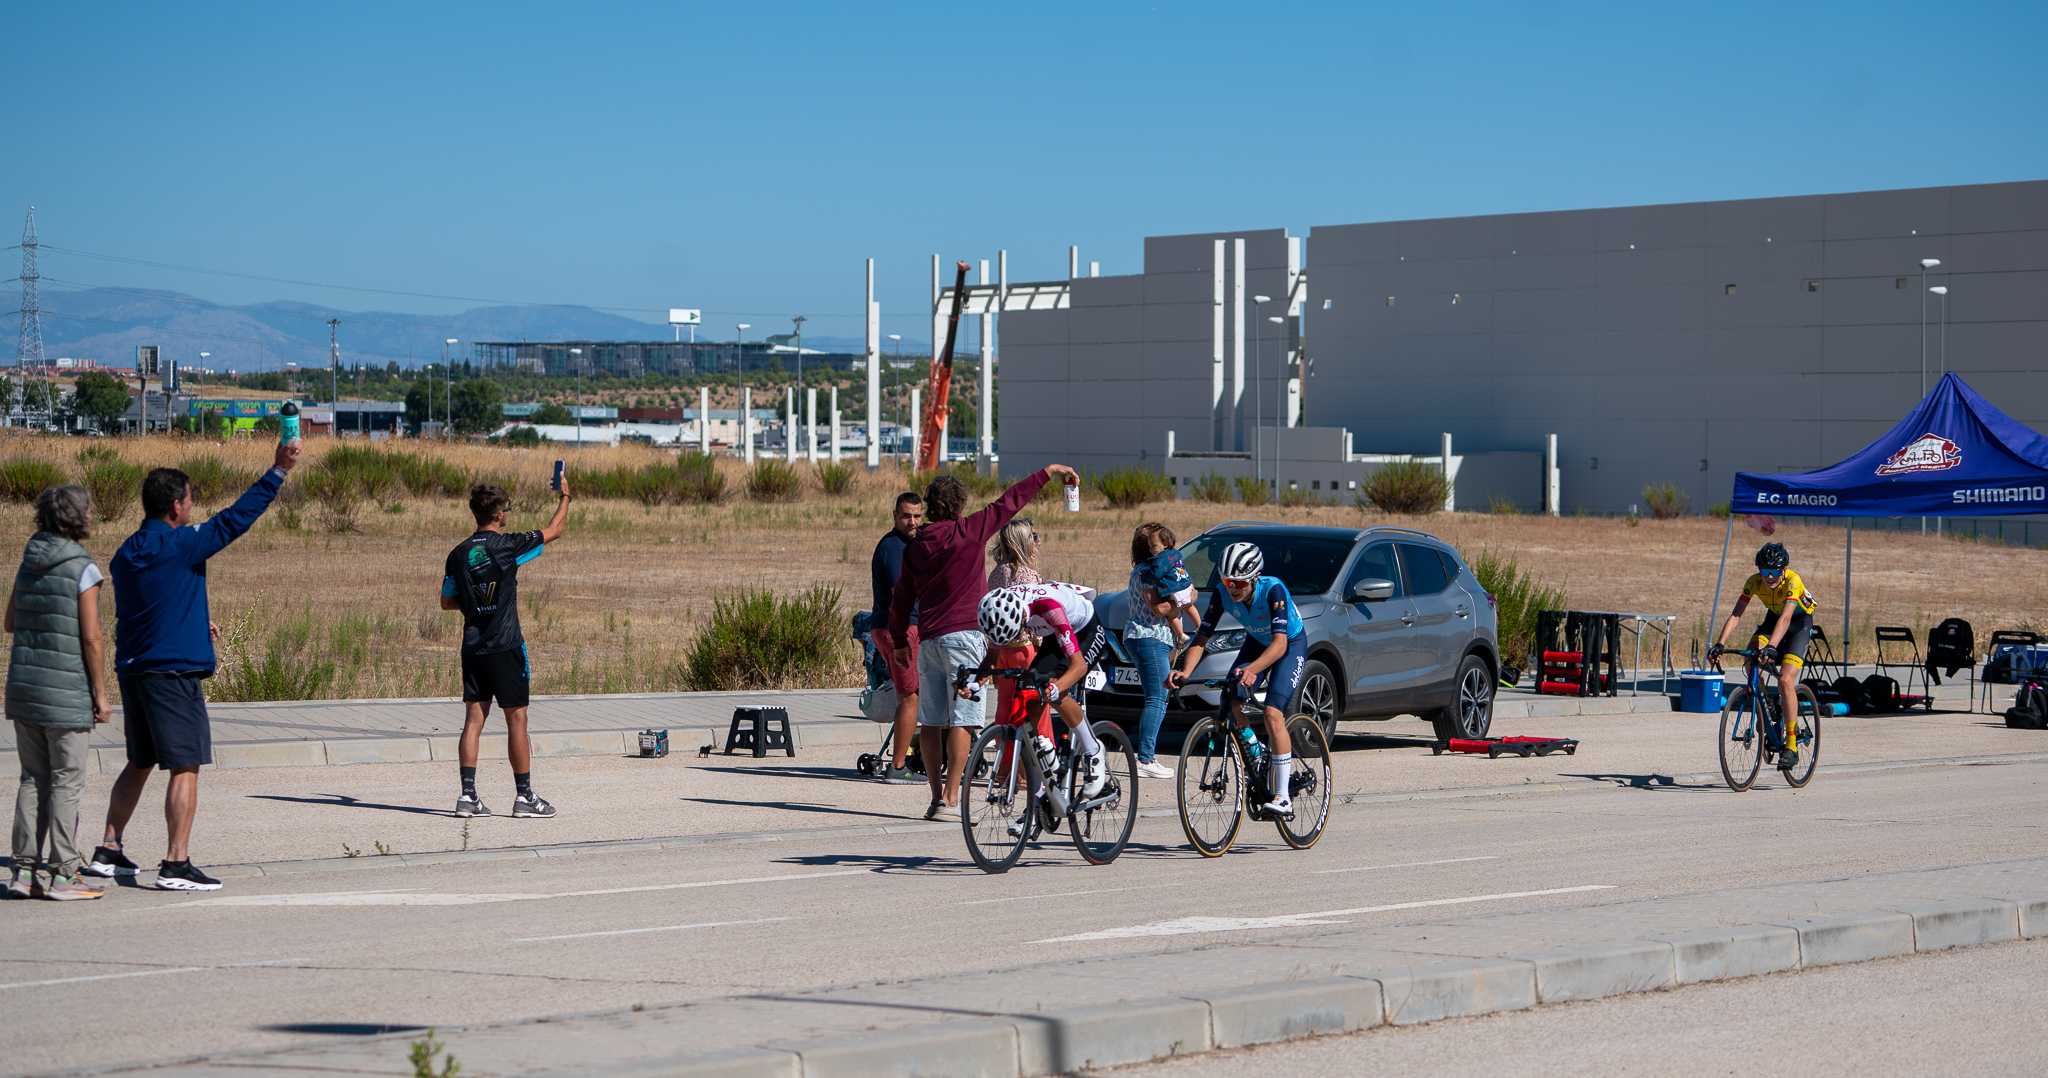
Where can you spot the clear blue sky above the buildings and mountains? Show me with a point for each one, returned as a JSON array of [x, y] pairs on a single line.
[[744, 159]]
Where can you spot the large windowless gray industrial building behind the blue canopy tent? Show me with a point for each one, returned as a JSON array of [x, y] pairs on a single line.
[[1664, 343]]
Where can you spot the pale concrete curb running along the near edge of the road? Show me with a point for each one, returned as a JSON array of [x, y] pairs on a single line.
[[1027, 1046]]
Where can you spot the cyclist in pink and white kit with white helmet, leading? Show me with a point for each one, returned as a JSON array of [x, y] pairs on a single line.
[[1062, 618]]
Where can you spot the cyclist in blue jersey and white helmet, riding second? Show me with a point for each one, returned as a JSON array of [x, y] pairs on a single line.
[[1271, 659]]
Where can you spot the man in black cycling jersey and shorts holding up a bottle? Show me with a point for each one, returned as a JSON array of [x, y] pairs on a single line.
[[482, 581]]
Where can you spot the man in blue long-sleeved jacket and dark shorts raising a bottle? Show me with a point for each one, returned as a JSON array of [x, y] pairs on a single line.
[[165, 655]]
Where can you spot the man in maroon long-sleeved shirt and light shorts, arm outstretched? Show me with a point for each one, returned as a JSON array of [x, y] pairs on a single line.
[[945, 581]]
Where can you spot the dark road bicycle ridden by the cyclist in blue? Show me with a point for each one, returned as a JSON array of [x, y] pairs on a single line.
[[1224, 770]]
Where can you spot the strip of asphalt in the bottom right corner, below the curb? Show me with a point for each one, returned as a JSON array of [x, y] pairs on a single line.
[[1973, 1011]]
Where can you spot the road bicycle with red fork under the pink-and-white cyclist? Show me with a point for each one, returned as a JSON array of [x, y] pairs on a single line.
[[1009, 798]]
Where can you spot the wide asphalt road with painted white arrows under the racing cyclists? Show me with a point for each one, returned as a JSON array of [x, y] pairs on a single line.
[[837, 901]]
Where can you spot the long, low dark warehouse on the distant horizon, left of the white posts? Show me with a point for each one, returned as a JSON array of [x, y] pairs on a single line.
[[654, 358]]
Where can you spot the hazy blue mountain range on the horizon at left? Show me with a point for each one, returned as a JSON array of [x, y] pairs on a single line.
[[108, 325]]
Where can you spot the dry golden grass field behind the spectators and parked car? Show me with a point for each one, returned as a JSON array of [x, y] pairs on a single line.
[[615, 606]]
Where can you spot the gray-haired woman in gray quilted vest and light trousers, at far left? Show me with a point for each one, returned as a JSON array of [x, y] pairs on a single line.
[[54, 694]]
